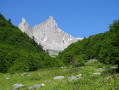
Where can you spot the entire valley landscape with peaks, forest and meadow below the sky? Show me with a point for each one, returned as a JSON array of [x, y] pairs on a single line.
[[83, 64]]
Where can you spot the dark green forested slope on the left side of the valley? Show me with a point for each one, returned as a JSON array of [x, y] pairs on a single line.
[[18, 52]]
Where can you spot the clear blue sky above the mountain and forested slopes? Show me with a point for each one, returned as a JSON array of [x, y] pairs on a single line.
[[80, 18]]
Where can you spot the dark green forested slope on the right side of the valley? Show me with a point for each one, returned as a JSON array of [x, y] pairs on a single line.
[[103, 46]]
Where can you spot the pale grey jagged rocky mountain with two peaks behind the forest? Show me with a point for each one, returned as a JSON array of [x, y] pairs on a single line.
[[48, 34]]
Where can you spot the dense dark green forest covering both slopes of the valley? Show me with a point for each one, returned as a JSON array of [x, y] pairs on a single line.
[[20, 53]]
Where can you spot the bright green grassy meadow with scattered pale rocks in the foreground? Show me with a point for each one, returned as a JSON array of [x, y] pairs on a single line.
[[93, 76]]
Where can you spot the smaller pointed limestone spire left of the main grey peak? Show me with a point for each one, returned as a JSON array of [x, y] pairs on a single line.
[[23, 26]]
